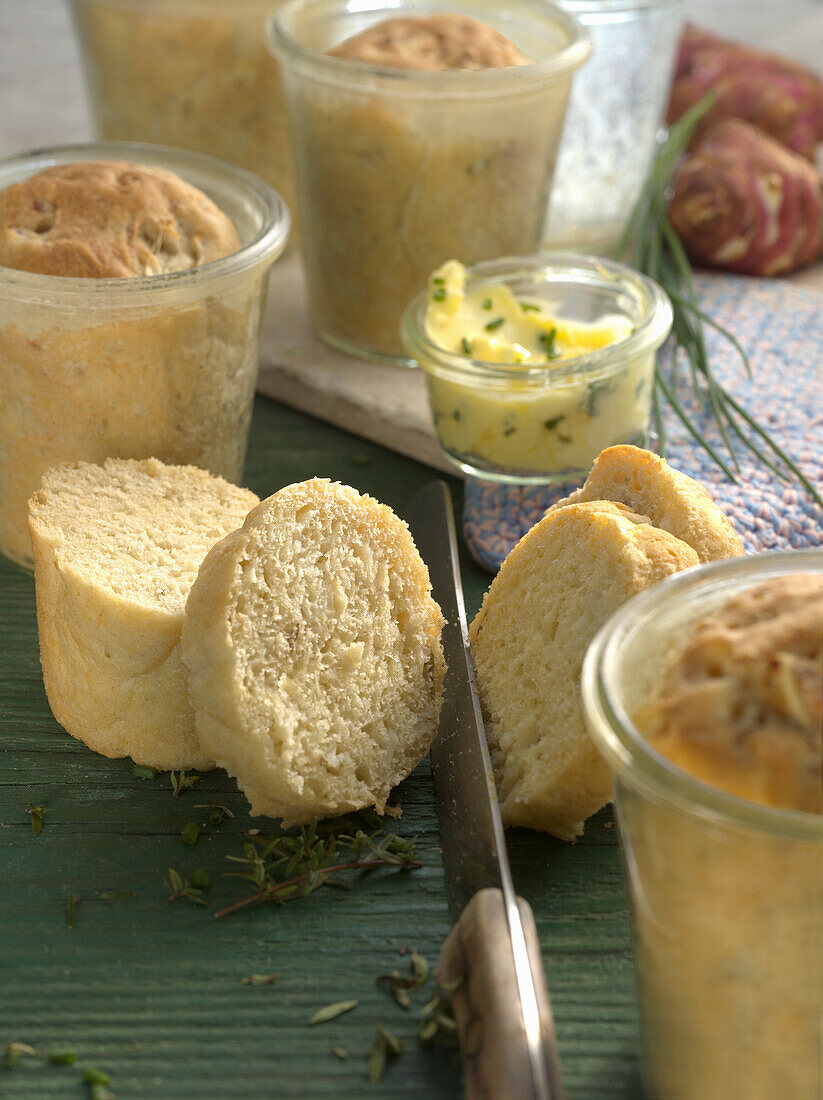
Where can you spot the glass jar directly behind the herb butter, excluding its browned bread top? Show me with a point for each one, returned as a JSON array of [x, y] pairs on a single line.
[[400, 170]]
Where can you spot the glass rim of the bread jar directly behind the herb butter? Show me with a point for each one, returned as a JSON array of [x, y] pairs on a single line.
[[289, 49]]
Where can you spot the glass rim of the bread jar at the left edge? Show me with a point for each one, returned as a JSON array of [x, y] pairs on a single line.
[[139, 290]]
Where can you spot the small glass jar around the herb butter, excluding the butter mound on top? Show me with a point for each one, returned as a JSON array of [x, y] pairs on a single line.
[[544, 424]]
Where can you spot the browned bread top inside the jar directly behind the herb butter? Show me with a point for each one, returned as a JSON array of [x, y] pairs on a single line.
[[432, 43]]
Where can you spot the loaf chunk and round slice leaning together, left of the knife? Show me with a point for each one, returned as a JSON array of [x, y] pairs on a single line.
[[300, 651]]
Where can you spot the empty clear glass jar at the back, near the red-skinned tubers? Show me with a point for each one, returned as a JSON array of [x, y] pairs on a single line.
[[616, 113]]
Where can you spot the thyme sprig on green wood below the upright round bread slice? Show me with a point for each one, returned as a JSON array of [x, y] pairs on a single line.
[[290, 866]]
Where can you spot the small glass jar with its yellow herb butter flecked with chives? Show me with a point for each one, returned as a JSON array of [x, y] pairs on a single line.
[[535, 365]]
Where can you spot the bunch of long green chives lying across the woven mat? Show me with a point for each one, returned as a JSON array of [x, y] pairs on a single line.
[[653, 247]]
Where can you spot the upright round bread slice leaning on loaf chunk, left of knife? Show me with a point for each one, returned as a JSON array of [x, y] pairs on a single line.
[[314, 652]]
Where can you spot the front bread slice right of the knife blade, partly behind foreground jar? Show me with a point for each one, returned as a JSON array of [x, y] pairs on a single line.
[[554, 592]]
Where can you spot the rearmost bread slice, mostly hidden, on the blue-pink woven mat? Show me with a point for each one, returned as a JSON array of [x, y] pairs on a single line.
[[673, 501]]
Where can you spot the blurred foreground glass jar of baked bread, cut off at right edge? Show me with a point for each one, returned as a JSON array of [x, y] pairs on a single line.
[[726, 889]]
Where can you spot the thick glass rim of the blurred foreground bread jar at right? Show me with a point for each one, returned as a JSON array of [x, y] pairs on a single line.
[[624, 747]]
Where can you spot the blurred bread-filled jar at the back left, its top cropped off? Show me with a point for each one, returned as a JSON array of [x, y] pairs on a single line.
[[195, 74]]
